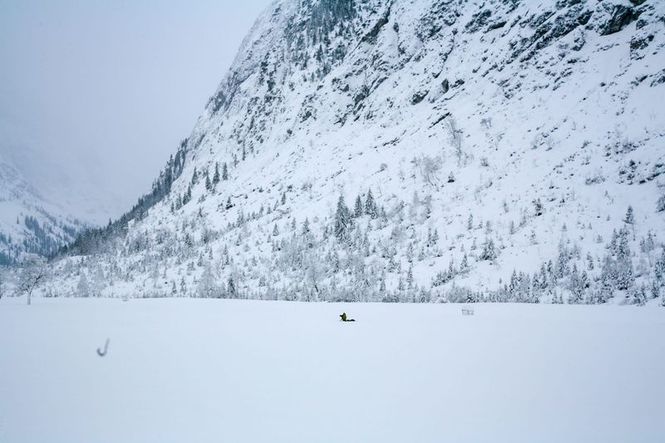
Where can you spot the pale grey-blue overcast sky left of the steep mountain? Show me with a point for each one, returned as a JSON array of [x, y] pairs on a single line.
[[95, 95]]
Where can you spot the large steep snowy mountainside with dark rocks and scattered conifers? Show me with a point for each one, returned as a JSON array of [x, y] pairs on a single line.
[[495, 136]]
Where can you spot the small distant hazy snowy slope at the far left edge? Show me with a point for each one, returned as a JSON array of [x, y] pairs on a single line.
[[29, 225]]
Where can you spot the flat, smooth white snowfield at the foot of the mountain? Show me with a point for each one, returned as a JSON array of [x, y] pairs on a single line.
[[182, 370]]
